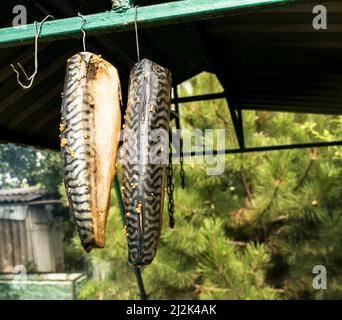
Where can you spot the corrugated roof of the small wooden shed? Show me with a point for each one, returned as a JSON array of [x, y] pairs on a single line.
[[21, 195]]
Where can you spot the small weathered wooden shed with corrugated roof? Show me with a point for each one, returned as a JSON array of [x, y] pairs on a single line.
[[29, 234]]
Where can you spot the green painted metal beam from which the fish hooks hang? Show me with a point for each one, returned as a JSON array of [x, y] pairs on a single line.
[[148, 16]]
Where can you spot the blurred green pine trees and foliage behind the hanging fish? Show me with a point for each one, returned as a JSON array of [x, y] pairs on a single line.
[[254, 232]]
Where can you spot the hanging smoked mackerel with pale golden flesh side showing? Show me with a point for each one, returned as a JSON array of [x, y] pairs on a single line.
[[90, 126]]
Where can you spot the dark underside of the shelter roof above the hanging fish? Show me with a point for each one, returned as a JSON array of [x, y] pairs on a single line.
[[266, 60]]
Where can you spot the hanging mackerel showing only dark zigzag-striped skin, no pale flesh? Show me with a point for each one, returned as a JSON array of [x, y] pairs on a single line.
[[148, 110]]
